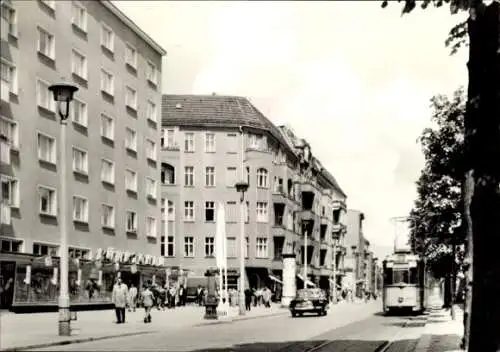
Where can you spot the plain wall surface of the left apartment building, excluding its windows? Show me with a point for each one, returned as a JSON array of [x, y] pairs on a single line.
[[21, 52]]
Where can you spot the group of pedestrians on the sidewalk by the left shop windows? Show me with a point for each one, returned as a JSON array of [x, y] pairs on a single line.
[[152, 295]]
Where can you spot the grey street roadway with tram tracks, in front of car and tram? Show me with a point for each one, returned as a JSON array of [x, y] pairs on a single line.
[[348, 327]]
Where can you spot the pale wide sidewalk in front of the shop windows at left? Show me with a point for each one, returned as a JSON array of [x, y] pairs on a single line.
[[28, 331]]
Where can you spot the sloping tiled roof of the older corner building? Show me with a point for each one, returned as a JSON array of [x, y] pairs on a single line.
[[215, 111]]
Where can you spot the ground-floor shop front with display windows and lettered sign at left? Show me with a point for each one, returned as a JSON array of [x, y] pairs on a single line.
[[35, 280]]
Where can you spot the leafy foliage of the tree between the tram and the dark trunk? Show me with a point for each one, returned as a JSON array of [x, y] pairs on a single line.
[[436, 218]]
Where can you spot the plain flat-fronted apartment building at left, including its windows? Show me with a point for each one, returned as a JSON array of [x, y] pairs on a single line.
[[113, 132]]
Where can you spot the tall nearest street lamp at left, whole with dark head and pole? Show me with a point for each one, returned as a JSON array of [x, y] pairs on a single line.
[[63, 95]]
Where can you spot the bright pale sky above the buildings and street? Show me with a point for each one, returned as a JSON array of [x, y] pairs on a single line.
[[351, 78]]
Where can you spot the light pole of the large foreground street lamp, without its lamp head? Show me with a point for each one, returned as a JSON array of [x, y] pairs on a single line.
[[64, 314]]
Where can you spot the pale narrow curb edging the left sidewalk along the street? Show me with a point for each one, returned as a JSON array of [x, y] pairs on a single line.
[[107, 337]]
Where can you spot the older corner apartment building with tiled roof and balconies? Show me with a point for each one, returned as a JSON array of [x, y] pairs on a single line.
[[210, 143]]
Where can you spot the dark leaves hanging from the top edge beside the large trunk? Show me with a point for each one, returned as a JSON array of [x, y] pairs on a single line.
[[457, 37]]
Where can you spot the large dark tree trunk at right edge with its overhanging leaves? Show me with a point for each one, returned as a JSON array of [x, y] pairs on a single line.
[[481, 167]]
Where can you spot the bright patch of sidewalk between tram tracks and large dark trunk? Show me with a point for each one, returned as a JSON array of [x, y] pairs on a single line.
[[441, 333]]
